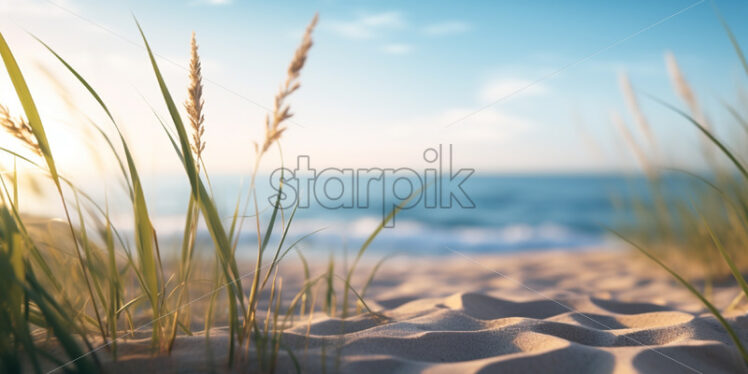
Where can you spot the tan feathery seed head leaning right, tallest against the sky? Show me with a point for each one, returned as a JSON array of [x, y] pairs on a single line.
[[281, 111]]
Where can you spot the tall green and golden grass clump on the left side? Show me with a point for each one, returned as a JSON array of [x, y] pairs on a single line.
[[129, 286]]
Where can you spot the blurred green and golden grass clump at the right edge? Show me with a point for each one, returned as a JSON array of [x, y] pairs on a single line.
[[708, 228]]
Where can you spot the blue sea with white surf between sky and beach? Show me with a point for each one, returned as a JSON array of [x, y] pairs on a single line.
[[511, 213]]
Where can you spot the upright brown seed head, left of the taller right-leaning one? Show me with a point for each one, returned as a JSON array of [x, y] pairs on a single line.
[[195, 102]]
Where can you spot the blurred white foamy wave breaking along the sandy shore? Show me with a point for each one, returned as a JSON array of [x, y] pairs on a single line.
[[407, 236]]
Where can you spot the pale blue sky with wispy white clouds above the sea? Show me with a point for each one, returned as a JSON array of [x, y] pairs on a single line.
[[515, 87]]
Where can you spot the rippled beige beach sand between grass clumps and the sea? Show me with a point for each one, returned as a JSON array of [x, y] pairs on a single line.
[[548, 312]]
